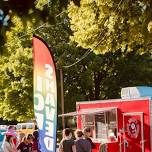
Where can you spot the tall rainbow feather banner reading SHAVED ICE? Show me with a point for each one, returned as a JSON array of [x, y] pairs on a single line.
[[45, 95]]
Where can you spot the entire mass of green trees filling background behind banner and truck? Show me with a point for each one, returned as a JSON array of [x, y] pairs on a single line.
[[123, 47]]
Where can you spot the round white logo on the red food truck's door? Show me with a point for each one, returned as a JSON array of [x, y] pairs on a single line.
[[133, 128]]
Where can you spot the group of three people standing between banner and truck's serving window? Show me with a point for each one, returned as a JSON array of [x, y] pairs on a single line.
[[82, 143]]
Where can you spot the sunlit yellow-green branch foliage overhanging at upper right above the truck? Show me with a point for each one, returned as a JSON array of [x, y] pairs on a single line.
[[111, 25]]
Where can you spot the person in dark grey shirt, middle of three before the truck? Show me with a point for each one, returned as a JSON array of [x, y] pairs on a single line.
[[82, 145]]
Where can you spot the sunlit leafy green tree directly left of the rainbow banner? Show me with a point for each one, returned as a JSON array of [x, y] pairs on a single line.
[[16, 100]]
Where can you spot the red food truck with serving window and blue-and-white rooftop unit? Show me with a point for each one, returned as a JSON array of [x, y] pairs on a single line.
[[120, 125]]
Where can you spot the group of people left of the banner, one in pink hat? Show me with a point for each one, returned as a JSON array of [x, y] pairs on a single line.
[[27, 143]]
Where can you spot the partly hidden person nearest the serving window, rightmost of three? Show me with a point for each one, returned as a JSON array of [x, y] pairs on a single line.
[[87, 134]]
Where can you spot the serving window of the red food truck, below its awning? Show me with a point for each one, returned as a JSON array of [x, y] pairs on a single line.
[[103, 124]]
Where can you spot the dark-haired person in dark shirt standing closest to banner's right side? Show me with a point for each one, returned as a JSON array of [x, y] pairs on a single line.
[[67, 144]]
